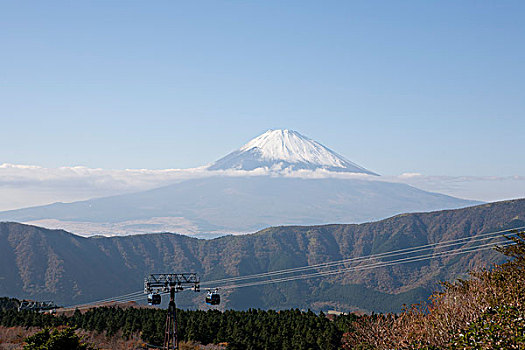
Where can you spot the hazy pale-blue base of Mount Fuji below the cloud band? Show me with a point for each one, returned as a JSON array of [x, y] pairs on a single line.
[[220, 205]]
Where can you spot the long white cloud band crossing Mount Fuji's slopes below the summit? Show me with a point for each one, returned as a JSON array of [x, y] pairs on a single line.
[[29, 185]]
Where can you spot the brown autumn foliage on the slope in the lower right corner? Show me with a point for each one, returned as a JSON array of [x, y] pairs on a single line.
[[485, 312]]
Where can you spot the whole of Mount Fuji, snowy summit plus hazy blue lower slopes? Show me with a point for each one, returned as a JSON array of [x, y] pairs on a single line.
[[235, 196]]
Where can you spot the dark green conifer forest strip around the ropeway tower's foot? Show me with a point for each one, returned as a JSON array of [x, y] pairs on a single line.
[[251, 329]]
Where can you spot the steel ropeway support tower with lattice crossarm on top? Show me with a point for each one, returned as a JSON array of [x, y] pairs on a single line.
[[171, 283]]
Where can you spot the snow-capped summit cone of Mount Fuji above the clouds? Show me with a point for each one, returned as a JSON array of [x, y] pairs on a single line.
[[283, 149]]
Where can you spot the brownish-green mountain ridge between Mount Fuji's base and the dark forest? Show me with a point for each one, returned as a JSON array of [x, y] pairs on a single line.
[[52, 264]]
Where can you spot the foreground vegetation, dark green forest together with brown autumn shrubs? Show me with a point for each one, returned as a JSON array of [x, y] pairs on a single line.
[[484, 312]]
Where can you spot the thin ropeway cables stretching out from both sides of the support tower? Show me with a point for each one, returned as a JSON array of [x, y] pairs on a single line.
[[438, 245]]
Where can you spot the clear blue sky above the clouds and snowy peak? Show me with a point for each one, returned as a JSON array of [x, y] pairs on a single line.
[[435, 87]]
